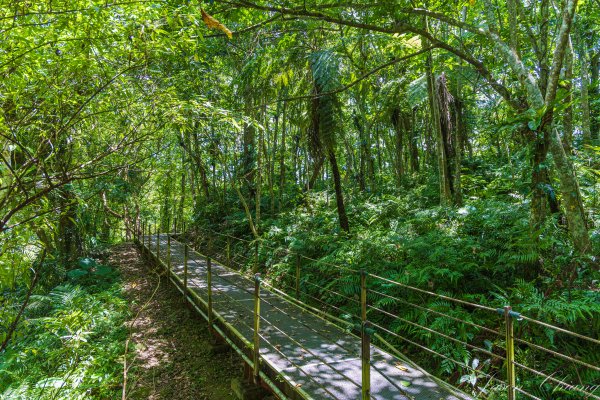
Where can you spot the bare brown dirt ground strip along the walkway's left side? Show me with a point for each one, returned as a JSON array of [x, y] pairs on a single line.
[[168, 347]]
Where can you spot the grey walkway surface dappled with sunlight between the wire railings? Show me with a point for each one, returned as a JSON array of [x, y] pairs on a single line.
[[310, 356]]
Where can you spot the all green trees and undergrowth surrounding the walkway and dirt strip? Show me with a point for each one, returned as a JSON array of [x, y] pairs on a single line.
[[450, 146]]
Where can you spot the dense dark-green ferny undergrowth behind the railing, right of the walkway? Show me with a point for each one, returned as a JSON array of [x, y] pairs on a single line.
[[483, 252]]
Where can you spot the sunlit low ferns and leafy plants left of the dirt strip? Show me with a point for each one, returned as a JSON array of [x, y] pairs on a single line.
[[70, 342]]
